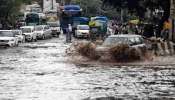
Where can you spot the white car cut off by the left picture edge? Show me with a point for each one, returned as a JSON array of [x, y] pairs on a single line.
[[8, 38]]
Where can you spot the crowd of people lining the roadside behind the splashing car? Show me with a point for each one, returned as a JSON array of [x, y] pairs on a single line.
[[140, 29]]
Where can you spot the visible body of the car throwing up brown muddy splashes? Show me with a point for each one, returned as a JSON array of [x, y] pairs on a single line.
[[113, 40]]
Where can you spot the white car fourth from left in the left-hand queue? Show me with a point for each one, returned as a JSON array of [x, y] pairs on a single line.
[[43, 32]]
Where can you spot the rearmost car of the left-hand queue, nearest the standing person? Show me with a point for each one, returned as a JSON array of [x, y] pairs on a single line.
[[55, 27]]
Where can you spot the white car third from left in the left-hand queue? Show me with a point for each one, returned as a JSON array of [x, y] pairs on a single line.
[[29, 32]]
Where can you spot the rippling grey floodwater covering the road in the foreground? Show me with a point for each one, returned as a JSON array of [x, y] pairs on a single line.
[[40, 71]]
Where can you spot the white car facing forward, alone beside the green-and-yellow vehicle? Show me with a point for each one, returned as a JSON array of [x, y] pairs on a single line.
[[82, 31]]
